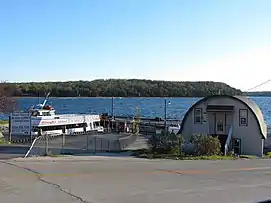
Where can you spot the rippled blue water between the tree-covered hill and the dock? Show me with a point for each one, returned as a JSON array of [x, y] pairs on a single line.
[[148, 107]]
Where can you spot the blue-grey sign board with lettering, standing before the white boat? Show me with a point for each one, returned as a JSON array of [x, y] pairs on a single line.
[[20, 123]]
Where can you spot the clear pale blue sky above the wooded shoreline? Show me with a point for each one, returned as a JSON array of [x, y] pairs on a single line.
[[181, 40]]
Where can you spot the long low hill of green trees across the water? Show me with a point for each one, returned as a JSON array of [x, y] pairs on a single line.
[[123, 88]]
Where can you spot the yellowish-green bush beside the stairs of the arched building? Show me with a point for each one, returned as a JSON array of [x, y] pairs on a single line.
[[206, 145]]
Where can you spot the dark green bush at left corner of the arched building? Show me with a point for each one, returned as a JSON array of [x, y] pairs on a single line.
[[166, 144]]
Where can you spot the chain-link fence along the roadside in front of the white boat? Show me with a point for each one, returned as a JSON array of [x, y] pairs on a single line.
[[80, 144]]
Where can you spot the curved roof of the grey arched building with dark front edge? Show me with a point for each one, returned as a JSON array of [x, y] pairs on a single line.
[[255, 109]]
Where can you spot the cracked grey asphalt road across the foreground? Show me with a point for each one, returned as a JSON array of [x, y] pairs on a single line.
[[128, 180]]
